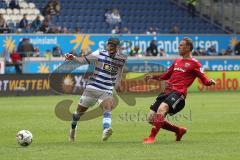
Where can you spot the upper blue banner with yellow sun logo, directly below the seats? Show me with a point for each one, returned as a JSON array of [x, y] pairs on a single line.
[[92, 42]]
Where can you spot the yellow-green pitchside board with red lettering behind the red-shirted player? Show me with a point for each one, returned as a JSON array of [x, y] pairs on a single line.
[[225, 81]]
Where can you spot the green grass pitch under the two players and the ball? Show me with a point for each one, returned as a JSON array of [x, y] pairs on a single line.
[[212, 120]]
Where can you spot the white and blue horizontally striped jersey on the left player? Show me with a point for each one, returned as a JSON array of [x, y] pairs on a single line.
[[107, 70]]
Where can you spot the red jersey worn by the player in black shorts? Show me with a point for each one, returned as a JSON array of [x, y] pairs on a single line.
[[181, 75]]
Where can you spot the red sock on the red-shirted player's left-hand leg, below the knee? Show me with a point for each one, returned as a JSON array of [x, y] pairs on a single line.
[[157, 124]]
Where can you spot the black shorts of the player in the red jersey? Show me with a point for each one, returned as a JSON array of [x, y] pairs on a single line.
[[175, 101]]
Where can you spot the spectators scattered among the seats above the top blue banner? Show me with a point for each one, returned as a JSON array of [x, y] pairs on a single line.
[[52, 10]]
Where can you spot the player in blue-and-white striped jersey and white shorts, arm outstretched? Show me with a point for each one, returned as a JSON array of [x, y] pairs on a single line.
[[107, 74]]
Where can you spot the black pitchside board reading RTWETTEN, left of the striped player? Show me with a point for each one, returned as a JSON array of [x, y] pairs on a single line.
[[41, 84]]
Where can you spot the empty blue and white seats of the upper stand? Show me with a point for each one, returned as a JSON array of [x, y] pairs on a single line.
[[137, 15]]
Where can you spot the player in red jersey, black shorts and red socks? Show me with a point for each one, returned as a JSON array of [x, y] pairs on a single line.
[[179, 77]]
